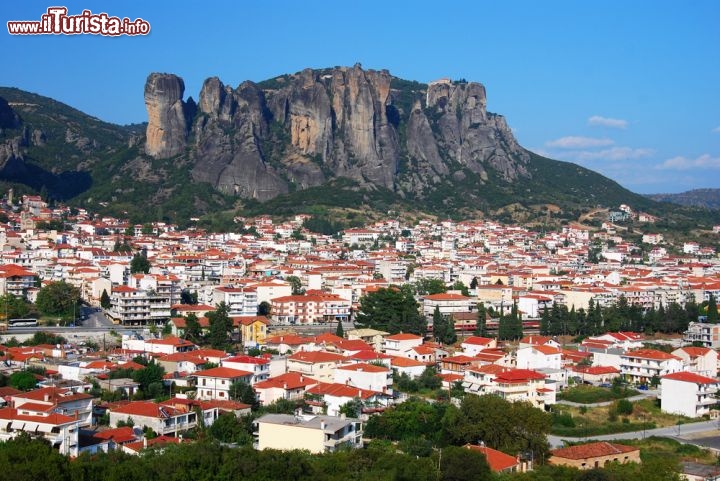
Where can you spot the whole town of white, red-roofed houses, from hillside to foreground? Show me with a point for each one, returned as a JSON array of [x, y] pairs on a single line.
[[301, 278]]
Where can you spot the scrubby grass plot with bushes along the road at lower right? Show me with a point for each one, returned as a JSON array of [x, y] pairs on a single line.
[[583, 421]]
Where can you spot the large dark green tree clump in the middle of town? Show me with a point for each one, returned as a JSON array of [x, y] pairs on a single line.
[[391, 309]]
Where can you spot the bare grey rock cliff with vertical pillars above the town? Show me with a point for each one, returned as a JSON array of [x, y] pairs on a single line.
[[298, 131]]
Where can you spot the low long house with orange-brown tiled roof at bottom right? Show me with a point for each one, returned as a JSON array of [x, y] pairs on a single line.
[[594, 455]]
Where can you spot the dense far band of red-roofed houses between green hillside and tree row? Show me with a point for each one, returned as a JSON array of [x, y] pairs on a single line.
[[500, 265]]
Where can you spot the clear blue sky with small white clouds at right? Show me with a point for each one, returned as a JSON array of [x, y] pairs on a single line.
[[630, 89]]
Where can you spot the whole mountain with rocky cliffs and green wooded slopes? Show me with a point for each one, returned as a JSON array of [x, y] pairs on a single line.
[[295, 142]]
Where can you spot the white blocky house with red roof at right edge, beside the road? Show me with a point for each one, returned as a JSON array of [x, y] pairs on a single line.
[[687, 393]]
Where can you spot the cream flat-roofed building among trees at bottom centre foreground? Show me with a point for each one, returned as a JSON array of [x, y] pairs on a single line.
[[316, 434]]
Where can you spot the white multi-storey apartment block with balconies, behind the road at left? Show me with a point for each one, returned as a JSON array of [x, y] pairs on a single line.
[[135, 307]]
